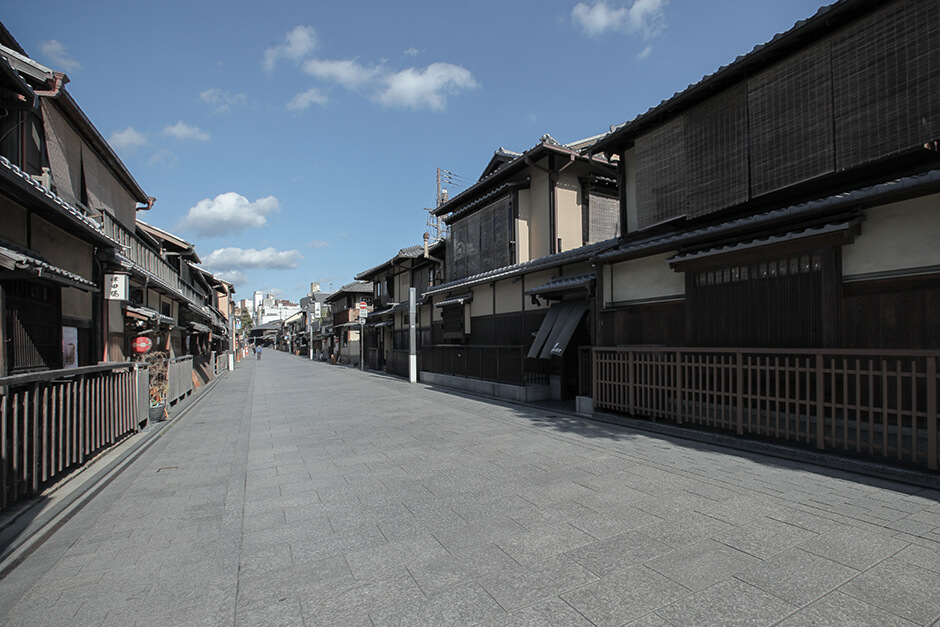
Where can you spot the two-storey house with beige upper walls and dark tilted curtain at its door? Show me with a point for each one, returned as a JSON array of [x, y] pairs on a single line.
[[519, 292]]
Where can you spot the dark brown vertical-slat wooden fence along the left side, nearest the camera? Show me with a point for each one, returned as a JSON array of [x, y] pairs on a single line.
[[53, 421]]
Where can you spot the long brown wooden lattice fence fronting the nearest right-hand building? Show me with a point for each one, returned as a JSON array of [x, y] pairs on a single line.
[[879, 404]]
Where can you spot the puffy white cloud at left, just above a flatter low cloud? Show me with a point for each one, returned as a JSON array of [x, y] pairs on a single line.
[[228, 213]]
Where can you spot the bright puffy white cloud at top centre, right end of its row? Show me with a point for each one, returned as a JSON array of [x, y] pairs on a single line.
[[428, 88]]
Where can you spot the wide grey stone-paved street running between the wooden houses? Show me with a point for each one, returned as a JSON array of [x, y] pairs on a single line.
[[297, 493]]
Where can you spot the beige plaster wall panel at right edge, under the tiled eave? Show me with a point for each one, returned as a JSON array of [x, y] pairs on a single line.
[[897, 237]]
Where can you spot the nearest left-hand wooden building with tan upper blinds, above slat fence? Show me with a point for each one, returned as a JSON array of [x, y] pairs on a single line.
[[60, 186]]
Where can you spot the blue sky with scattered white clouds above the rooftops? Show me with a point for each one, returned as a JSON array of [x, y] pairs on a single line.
[[294, 142]]
